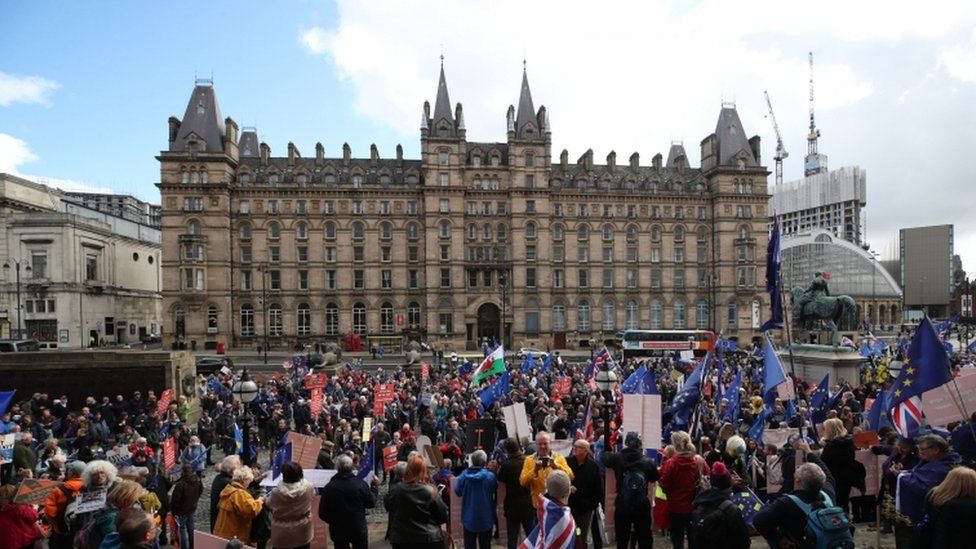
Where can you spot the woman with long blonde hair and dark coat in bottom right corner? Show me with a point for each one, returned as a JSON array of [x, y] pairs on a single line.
[[950, 512]]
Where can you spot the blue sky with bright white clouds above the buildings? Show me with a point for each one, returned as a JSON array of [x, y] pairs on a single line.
[[86, 88]]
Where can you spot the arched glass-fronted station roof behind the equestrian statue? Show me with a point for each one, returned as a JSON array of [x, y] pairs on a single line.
[[853, 271]]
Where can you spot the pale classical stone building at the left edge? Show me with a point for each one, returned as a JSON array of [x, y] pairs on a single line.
[[84, 275]]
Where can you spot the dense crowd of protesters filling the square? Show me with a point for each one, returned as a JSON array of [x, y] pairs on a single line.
[[110, 452]]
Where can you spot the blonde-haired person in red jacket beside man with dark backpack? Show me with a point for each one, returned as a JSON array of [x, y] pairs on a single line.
[[680, 480]]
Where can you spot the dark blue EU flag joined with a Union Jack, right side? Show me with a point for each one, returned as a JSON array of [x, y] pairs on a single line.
[[927, 368]]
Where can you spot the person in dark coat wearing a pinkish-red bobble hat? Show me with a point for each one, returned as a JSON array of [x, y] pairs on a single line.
[[716, 522]]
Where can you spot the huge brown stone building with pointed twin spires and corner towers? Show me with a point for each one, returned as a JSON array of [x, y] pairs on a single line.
[[472, 240]]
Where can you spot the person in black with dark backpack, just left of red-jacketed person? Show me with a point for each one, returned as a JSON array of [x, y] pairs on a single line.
[[633, 509]]
